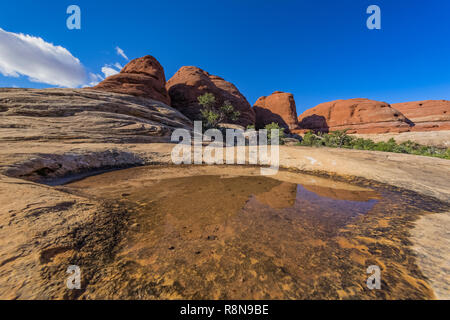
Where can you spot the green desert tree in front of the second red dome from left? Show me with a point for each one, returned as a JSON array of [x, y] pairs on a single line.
[[212, 113]]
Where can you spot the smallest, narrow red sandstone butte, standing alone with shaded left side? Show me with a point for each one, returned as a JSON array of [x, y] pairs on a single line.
[[279, 107]]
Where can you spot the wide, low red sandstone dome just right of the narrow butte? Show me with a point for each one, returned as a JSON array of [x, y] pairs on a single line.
[[357, 115]]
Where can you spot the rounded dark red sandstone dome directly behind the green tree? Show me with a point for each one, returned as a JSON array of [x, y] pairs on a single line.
[[191, 82]]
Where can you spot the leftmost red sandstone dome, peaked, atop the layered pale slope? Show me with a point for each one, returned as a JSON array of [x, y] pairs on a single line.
[[143, 77]]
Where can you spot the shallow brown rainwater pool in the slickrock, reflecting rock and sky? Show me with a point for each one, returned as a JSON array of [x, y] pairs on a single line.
[[250, 237]]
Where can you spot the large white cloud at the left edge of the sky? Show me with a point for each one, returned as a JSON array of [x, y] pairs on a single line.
[[39, 60]]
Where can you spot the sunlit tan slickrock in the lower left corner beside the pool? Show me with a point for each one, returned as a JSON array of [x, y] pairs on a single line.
[[34, 224]]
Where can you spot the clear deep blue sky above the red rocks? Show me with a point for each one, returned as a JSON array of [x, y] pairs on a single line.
[[319, 50]]
